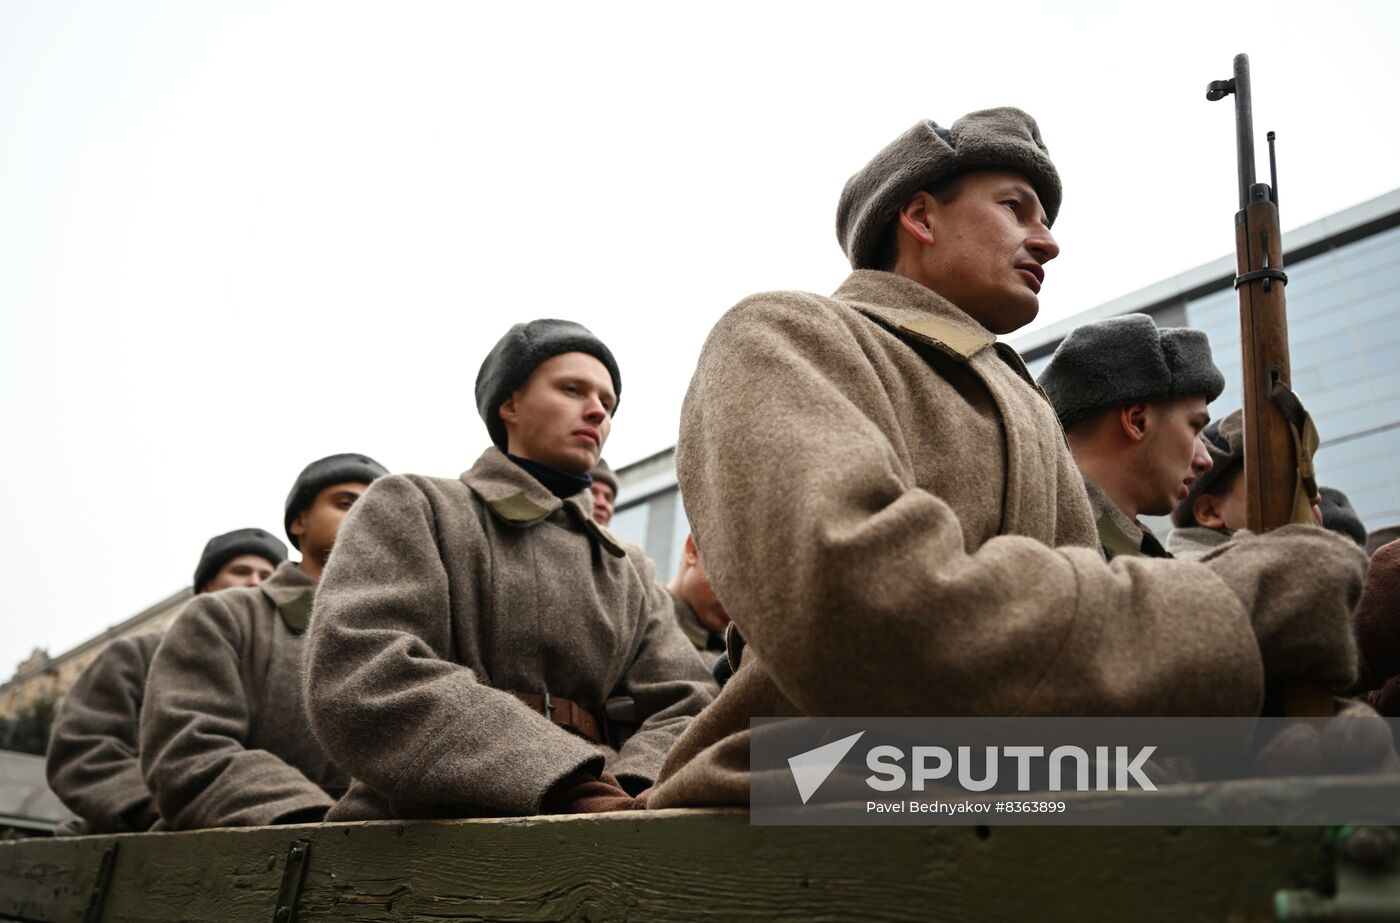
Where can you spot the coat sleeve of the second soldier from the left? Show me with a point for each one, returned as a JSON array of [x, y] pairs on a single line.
[[195, 726]]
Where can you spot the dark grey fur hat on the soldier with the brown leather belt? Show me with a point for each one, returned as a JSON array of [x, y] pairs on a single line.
[[520, 352]]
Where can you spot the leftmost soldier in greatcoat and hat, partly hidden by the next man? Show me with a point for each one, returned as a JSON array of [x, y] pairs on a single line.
[[93, 761]]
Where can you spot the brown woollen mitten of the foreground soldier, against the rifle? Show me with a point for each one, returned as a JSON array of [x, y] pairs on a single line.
[[1300, 585]]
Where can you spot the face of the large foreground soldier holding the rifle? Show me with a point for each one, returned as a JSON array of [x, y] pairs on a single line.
[[990, 244]]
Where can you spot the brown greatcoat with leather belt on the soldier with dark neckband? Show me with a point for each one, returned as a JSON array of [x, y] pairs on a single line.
[[442, 596]]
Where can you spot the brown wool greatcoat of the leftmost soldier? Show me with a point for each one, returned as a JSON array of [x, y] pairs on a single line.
[[93, 764]]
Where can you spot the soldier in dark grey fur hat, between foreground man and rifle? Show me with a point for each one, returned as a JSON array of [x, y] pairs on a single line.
[[1133, 403]]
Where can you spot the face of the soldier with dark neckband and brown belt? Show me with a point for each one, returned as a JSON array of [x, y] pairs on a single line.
[[562, 415]]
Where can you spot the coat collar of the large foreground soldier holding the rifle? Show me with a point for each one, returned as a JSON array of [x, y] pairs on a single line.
[[919, 313]]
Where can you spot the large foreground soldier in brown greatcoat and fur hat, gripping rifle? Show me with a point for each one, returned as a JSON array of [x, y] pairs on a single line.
[[892, 518]]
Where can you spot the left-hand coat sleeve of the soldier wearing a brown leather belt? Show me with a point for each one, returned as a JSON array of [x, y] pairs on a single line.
[[386, 697]]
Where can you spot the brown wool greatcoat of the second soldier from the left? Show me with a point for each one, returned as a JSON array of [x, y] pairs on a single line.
[[225, 735]]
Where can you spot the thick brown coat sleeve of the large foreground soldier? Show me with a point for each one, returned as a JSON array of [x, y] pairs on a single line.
[[855, 586]]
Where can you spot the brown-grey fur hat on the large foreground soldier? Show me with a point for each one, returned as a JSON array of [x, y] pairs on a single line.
[[929, 156]]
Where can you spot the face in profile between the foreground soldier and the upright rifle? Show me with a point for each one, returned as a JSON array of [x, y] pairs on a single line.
[[1172, 456]]
